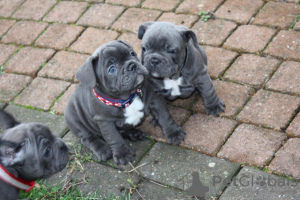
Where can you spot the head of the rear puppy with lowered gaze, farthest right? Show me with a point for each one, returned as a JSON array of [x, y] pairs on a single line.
[[164, 47]]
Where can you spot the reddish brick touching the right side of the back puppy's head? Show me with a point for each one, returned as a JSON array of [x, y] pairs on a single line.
[[213, 32]]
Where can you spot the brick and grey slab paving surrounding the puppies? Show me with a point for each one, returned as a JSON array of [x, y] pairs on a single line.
[[253, 51]]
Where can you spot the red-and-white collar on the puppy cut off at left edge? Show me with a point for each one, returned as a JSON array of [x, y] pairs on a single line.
[[15, 181]]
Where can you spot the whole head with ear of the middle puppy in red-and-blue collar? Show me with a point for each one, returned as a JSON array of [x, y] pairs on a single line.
[[114, 68]]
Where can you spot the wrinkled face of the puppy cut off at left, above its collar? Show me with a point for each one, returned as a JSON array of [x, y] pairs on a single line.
[[42, 154]]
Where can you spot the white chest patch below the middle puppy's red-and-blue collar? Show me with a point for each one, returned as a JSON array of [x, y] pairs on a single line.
[[134, 112]]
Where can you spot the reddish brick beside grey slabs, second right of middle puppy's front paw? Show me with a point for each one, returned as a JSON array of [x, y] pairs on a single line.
[[252, 145]]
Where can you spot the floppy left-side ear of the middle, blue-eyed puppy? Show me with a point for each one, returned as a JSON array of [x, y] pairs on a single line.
[[86, 74]]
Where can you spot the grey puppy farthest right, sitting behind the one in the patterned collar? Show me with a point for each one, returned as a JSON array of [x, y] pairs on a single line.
[[177, 63]]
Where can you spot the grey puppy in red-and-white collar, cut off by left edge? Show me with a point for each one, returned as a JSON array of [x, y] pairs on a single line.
[[27, 152]]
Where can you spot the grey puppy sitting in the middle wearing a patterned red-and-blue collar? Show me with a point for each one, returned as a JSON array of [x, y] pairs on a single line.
[[112, 98]]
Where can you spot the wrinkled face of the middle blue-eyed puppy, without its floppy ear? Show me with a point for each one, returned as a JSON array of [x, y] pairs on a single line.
[[118, 70]]
